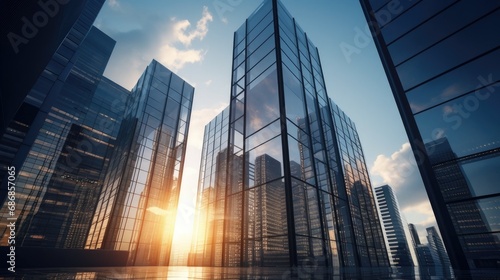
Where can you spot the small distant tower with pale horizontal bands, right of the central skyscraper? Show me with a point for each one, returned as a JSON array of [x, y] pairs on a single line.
[[399, 250]]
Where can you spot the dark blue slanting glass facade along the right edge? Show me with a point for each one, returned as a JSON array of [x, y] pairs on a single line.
[[440, 58]]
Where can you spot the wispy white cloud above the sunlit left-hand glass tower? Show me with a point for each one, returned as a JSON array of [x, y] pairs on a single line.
[[168, 40]]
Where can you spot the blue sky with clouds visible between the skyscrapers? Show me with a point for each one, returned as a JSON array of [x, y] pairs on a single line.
[[194, 40]]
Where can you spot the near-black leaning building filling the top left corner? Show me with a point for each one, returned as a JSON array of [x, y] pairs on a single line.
[[32, 78]]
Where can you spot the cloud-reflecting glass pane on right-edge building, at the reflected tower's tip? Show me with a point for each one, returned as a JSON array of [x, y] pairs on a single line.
[[456, 121]]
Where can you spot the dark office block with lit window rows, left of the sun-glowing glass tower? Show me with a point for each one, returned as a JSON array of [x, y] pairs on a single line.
[[61, 176]]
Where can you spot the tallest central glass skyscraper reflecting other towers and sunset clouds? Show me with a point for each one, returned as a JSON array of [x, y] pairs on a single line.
[[276, 186]]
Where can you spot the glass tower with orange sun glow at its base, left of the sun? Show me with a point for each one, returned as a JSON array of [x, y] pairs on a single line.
[[138, 204]]
